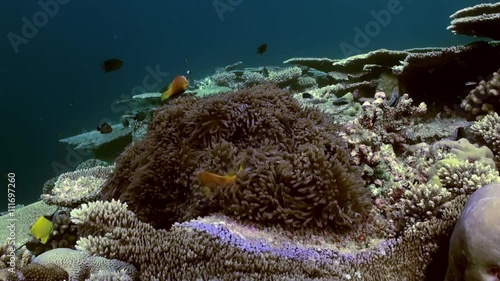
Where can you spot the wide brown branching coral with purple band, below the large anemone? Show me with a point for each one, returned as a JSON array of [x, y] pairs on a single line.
[[217, 247]]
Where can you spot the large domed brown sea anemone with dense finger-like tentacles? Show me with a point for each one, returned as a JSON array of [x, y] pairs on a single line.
[[295, 170]]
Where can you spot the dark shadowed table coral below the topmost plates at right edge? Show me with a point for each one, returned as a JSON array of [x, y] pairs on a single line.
[[452, 68]]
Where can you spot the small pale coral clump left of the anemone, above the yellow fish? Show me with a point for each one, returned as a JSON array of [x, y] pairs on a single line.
[[73, 188]]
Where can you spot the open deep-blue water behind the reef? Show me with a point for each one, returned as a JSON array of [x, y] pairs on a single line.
[[52, 85]]
